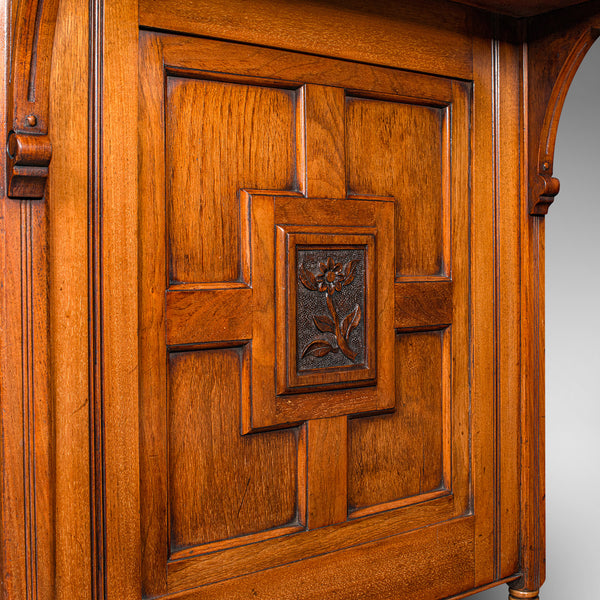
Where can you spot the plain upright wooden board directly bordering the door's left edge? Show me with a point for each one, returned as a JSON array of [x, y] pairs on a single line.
[[119, 484]]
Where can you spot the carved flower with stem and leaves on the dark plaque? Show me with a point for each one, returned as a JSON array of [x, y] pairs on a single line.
[[332, 277]]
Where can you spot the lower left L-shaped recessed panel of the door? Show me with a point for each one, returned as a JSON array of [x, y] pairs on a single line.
[[222, 484]]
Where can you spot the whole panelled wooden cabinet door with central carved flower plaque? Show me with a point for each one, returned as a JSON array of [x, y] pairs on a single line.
[[306, 425]]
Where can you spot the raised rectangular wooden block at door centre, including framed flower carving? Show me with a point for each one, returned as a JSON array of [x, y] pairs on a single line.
[[322, 277]]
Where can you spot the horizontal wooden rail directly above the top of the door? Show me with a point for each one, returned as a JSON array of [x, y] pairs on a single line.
[[435, 39]]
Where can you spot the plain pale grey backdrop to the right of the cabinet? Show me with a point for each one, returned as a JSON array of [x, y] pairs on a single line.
[[572, 350]]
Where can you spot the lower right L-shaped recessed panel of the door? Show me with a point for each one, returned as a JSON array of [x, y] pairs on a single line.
[[400, 455]]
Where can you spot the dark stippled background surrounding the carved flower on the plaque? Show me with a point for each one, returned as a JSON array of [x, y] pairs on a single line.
[[310, 304]]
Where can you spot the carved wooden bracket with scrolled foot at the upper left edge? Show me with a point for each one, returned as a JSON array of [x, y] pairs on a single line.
[[28, 147]]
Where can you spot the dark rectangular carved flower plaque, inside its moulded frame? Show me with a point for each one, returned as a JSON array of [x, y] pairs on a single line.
[[327, 277]]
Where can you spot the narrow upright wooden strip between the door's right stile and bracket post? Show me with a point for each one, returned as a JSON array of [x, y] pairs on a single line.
[[508, 276]]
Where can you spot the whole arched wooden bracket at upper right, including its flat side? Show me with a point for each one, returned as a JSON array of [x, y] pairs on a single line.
[[567, 58]]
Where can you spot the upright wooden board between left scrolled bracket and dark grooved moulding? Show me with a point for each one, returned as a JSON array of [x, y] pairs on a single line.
[[69, 328]]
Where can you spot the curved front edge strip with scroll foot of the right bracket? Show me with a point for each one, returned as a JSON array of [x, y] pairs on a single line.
[[549, 186]]
